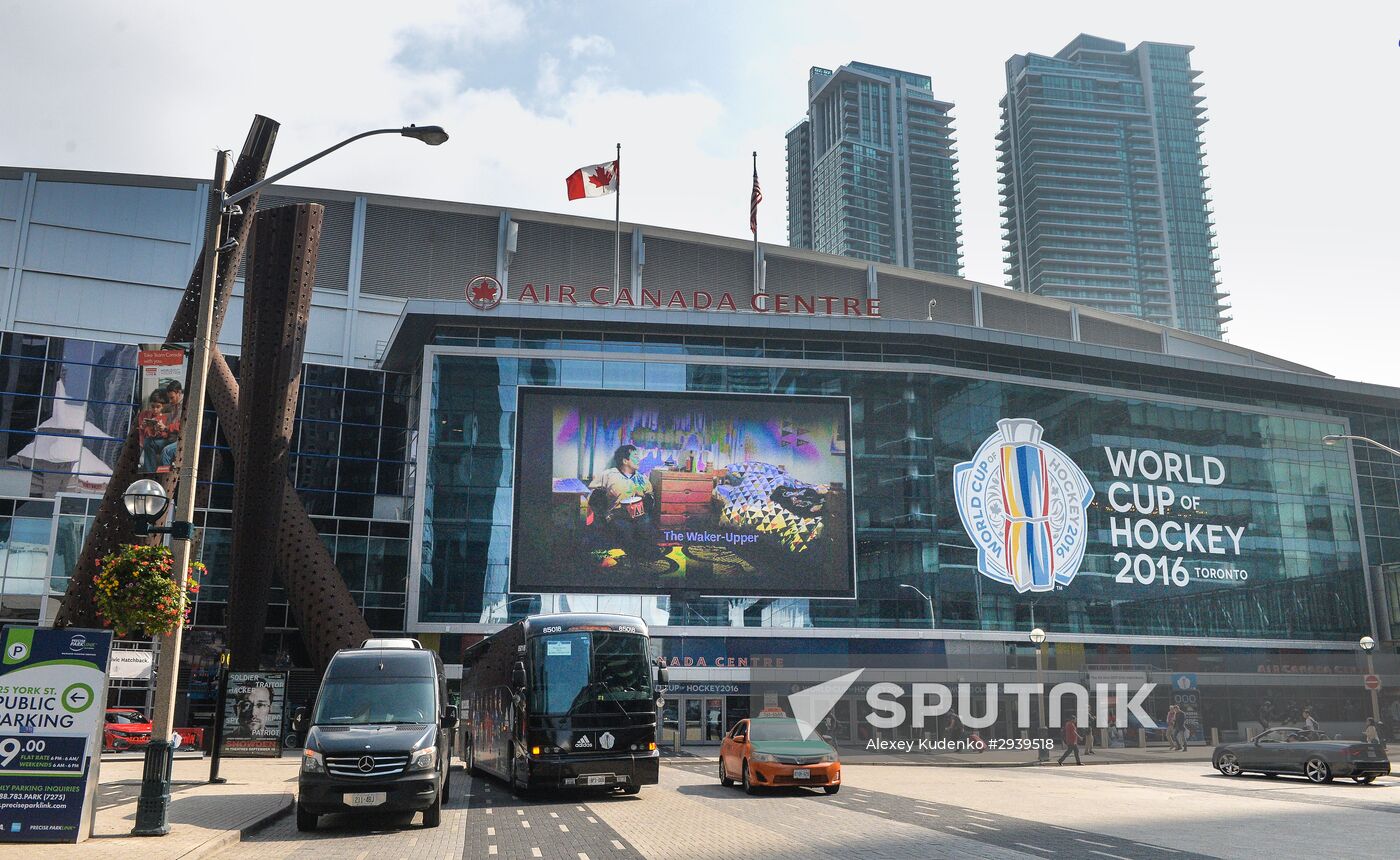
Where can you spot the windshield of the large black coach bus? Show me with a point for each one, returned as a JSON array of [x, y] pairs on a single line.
[[573, 670]]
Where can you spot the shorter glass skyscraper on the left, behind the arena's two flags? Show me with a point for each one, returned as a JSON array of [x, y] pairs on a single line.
[[873, 170]]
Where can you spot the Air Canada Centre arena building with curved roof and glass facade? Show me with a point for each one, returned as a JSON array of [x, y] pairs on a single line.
[[488, 431]]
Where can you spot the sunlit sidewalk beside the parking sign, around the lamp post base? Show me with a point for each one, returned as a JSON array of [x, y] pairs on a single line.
[[204, 819]]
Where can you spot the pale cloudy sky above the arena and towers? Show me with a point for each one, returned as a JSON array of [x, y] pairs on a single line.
[[1301, 142]]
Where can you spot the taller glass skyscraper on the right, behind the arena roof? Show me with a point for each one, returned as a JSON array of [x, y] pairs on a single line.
[[1104, 186]]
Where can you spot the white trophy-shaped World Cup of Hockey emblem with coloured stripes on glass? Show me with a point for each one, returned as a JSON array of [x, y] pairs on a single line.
[[1024, 504]]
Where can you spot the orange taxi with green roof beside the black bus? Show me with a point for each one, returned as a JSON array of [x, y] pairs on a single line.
[[772, 751]]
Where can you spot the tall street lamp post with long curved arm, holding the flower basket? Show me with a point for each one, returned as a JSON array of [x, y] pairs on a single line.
[[153, 806]]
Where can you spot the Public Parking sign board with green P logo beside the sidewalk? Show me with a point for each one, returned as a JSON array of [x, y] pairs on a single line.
[[52, 688]]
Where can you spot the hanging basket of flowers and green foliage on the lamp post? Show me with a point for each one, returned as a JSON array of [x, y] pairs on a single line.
[[138, 595]]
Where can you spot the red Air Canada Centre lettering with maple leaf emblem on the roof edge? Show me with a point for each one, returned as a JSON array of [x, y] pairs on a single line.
[[603, 296]]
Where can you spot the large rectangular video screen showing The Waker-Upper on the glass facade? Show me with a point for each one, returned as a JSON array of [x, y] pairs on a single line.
[[646, 492]]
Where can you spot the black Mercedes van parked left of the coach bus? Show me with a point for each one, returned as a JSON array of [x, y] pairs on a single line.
[[381, 737]]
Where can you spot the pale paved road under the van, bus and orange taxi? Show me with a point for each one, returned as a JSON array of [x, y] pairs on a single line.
[[1178, 812]]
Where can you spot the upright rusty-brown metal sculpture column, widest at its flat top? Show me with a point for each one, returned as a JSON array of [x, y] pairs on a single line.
[[276, 306]]
